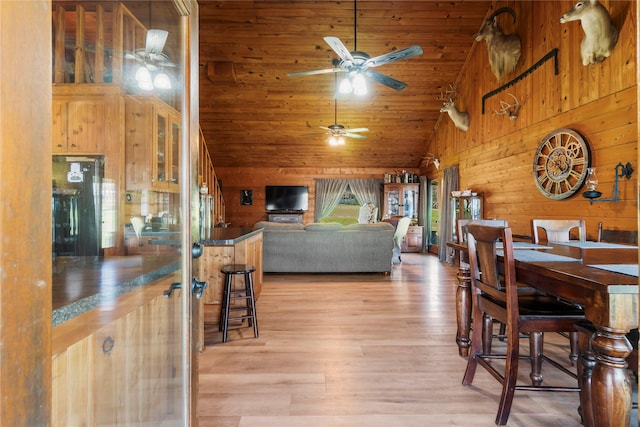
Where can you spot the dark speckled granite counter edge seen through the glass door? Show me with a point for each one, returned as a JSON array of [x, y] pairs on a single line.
[[74, 309]]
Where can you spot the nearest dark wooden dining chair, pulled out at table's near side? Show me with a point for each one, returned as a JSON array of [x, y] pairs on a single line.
[[495, 296]]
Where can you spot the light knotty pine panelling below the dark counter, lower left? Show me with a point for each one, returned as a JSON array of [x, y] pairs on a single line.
[[87, 375]]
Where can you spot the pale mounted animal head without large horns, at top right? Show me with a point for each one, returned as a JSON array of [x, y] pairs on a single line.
[[600, 36]]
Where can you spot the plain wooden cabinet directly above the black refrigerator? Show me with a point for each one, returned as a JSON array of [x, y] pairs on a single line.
[[78, 125]]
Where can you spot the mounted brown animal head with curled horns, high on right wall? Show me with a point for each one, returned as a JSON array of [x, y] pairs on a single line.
[[504, 49]]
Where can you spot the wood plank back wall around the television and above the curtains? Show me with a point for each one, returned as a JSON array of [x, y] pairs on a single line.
[[233, 180]]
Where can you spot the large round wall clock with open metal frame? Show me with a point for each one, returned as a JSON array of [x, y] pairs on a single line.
[[560, 163]]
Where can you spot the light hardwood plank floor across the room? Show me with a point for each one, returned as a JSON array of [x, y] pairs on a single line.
[[364, 350]]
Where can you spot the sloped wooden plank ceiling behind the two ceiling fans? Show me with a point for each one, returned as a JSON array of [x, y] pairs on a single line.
[[253, 114]]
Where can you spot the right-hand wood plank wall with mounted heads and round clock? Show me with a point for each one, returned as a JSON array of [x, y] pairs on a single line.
[[599, 101]]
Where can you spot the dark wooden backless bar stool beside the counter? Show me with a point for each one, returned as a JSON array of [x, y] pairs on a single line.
[[231, 294]]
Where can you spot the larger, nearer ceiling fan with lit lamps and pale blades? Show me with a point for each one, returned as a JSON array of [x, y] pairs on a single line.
[[358, 64]]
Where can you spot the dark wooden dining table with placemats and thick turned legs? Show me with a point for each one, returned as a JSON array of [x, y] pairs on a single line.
[[603, 279]]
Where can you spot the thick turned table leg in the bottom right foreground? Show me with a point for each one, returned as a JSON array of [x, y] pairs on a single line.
[[610, 382]]
